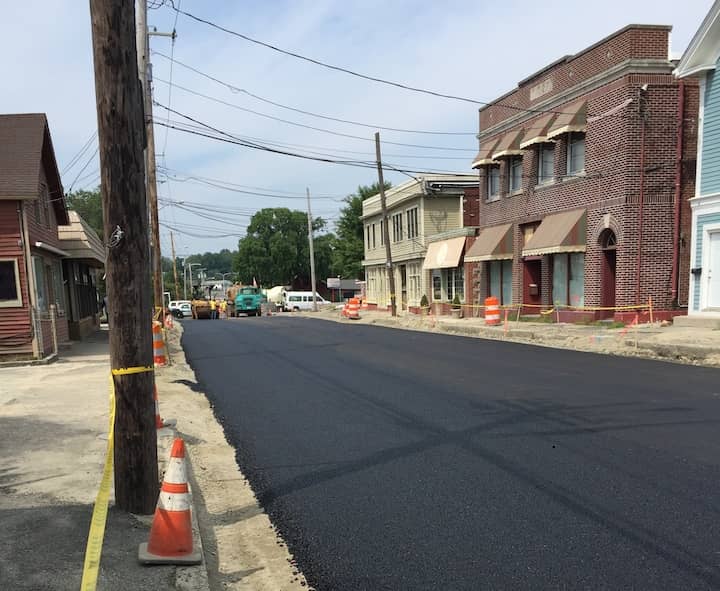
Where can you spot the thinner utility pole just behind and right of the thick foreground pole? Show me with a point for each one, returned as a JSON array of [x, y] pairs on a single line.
[[143, 52]]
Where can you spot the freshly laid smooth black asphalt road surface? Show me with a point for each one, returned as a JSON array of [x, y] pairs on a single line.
[[401, 460]]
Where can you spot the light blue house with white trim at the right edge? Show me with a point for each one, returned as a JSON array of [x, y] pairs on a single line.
[[701, 60]]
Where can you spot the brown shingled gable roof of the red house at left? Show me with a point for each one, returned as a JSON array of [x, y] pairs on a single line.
[[25, 146]]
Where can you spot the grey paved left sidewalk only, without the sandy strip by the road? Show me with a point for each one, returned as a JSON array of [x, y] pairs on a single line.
[[53, 437]]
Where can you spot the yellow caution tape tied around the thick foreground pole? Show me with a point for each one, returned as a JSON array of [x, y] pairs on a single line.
[[96, 535]]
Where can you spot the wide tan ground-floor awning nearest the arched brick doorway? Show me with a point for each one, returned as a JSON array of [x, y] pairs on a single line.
[[559, 232]]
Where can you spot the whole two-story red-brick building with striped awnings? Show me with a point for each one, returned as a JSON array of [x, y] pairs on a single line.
[[585, 171]]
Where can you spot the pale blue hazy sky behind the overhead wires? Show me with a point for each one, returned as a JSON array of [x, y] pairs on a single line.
[[467, 48]]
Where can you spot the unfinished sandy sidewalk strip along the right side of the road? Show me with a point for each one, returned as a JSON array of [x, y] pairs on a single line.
[[683, 344]]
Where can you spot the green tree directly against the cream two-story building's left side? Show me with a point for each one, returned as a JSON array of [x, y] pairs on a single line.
[[349, 248]]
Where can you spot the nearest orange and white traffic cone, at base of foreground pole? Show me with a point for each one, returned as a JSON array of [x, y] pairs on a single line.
[[171, 539]]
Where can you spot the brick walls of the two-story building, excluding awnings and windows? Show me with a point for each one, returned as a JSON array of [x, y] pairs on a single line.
[[628, 185]]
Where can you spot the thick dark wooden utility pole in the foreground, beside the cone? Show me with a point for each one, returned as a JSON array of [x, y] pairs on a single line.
[[121, 136]]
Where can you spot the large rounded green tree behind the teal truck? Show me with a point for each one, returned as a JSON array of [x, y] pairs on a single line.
[[275, 250]]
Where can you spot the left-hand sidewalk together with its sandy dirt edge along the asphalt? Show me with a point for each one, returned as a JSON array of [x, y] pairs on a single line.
[[53, 439]]
